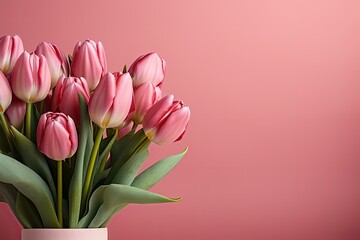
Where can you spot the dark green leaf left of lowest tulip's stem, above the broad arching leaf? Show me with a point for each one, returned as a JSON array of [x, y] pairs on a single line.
[[33, 158]]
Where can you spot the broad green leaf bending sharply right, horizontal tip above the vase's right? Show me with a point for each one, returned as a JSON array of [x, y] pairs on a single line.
[[115, 195]]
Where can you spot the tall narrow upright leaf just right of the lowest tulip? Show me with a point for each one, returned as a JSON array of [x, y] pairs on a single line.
[[76, 184]]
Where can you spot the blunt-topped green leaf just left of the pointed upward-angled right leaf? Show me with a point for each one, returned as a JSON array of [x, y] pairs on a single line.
[[128, 171]]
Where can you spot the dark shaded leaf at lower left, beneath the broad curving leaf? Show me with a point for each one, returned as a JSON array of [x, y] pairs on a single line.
[[8, 195]]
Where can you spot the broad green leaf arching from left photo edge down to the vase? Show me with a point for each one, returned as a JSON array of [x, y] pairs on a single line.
[[32, 186]]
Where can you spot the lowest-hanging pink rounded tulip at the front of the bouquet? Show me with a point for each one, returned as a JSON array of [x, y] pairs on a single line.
[[56, 136]]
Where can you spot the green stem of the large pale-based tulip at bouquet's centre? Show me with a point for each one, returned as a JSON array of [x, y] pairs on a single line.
[[90, 170]]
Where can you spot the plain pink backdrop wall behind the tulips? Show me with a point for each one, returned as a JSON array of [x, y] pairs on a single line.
[[274, 92]]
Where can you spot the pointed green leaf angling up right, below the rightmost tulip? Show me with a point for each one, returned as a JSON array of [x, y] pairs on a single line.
[[158, 171]]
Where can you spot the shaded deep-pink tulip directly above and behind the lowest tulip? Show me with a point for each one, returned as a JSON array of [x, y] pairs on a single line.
[[66, 97]]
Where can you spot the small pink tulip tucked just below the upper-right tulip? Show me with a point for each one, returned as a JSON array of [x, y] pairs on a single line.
[[145, 96]]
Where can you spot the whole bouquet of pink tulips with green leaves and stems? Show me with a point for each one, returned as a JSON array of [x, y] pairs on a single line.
[[74, 136]]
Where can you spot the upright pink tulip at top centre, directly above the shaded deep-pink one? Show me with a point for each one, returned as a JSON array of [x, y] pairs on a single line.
[[89, 61]]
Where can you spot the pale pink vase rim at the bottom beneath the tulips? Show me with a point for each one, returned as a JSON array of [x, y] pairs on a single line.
[[64, 234]]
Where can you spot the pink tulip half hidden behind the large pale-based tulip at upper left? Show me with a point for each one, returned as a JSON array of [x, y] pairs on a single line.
[[57, 60]]
